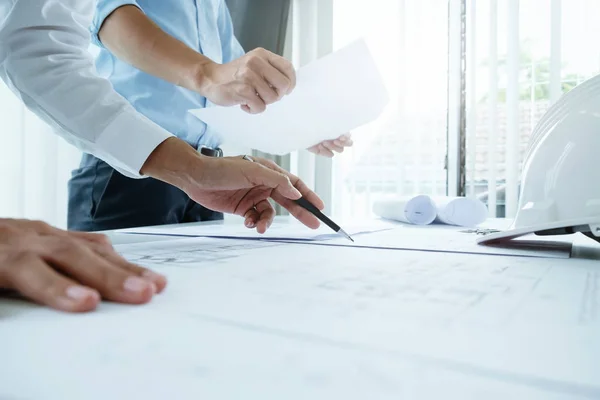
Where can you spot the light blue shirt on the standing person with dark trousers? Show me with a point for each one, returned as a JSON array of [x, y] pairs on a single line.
[[203, 25]]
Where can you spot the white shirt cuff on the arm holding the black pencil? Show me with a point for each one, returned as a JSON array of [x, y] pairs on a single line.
[[128, 141]]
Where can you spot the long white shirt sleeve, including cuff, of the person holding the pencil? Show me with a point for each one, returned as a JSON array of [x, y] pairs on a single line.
[[44, 59]]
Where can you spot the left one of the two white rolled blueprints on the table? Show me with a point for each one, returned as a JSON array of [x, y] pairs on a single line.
[[417, 210]]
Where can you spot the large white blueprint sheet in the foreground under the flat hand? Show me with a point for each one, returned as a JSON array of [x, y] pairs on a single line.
[[300, 322]]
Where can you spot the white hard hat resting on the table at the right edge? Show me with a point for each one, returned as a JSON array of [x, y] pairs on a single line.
[[560, 185]]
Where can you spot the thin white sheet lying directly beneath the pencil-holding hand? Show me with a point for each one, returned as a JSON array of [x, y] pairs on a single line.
[[290, 231]]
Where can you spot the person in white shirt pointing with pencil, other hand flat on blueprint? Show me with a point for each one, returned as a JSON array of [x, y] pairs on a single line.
[[44, 60]]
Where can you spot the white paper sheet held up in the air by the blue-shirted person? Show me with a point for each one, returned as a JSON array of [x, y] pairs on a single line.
[[334, 95]]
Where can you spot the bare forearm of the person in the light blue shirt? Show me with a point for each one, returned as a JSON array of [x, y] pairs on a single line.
[[132, 37]]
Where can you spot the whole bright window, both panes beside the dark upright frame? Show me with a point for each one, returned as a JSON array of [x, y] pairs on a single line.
[[520, 57]]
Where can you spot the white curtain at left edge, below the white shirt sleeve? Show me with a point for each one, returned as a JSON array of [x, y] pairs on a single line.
[[35, 165]]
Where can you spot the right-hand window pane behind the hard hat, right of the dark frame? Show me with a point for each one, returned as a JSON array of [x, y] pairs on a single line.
[[547, 43]]
